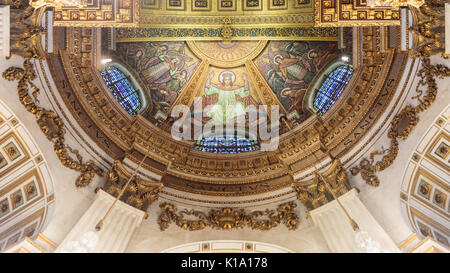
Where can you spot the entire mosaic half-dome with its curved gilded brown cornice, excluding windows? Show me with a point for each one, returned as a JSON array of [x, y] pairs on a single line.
[[194, 73]]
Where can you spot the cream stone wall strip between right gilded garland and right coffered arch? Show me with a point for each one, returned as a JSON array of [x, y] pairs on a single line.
[[384, 201]]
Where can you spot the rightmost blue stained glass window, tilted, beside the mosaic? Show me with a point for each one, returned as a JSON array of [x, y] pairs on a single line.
[[332, 87]]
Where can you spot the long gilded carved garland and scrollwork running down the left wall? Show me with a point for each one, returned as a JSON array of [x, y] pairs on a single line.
[[50, 123]]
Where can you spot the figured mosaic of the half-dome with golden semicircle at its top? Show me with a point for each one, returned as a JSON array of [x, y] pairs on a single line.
[[166, 68]]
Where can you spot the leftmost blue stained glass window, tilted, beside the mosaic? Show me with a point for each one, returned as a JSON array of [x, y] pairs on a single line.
[[122, 90]]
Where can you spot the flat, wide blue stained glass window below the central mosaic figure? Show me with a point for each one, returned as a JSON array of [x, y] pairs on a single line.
[[227, 144]]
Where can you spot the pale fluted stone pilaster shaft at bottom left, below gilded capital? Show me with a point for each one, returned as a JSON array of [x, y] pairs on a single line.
[[118, 227]]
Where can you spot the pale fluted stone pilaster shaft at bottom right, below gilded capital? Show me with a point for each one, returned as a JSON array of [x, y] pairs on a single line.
[[337, 230]]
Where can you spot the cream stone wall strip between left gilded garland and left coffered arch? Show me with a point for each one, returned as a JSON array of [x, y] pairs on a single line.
[[70, 202]]
